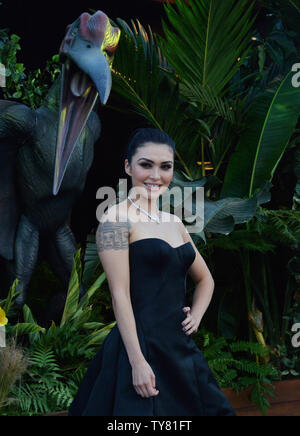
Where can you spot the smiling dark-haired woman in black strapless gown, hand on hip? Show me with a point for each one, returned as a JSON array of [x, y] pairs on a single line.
[[148, 364]]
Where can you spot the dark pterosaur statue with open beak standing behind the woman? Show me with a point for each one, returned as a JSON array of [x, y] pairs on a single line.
[[45, 154]]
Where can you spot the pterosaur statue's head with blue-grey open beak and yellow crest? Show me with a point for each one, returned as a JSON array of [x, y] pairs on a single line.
[[87, 51]]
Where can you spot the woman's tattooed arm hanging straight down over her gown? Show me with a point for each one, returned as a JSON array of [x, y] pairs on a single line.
[[113, 248]]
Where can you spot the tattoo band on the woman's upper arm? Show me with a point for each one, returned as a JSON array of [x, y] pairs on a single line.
[[112, 236]]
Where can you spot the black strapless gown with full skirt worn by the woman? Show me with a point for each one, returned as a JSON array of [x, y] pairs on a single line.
[[186, 385]]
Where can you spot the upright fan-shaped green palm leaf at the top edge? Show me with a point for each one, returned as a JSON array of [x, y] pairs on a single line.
[[204, 40]]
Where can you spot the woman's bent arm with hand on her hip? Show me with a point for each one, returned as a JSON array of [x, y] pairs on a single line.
[[204, 286]]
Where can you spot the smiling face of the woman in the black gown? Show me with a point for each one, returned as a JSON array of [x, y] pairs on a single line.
[[152, 168]]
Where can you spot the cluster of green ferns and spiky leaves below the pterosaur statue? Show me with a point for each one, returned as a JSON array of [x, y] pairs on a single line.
[[59, 356]]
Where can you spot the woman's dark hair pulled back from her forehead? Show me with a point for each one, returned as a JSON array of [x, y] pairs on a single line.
[[141, 136]]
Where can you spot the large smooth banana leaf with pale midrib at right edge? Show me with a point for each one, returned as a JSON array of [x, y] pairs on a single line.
[[270, 123]]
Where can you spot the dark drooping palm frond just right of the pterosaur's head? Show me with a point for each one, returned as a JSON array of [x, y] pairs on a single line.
[[139, 78]]
